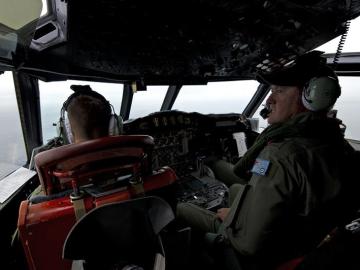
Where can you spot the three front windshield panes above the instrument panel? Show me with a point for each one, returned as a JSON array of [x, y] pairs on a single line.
[[216, 97]]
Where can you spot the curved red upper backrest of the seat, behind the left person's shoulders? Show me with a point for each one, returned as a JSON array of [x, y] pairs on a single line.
[[96, 160]]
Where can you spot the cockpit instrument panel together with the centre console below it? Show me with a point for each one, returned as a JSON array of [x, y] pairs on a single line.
[[187, 142]]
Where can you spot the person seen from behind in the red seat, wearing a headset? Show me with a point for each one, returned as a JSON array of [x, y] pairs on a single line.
[[89, 115]]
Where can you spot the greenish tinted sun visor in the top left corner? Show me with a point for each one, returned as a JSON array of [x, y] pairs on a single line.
[[18, 20]]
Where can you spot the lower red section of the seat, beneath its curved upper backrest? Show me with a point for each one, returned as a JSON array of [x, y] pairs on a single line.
[[44, 225]]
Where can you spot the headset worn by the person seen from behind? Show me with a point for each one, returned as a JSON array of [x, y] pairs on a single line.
[[63, 126]]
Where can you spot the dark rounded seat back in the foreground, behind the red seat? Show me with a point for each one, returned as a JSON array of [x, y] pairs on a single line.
[[121, 233]]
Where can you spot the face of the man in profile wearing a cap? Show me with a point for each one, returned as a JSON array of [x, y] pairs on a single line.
[[284, 102]]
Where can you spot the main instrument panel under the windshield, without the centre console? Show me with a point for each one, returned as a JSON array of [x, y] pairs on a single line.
[[182, 139]]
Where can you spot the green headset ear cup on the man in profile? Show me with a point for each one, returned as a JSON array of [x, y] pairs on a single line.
[[320, 93]]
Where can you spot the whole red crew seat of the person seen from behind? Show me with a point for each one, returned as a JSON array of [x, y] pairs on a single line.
[[77, 178]]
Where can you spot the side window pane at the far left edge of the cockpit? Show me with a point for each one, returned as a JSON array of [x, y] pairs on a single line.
[[12, 147]]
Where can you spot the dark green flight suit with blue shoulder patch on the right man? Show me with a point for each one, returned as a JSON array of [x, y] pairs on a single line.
[[291, 204]]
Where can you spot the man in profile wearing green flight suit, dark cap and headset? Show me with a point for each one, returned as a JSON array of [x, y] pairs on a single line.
[[294, 187]]
